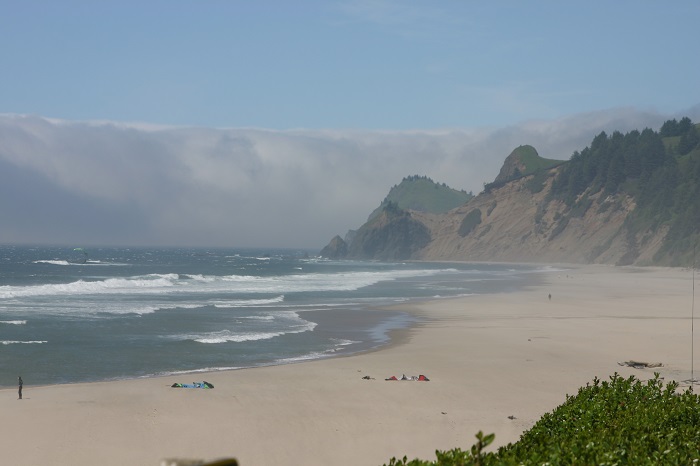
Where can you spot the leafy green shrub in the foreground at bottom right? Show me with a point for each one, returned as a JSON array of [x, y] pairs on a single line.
[[623, 421]]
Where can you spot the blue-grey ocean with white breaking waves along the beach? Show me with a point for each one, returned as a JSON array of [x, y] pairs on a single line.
[[72, 315]]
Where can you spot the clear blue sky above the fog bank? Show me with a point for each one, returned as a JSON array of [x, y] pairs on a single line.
[[345, 64]]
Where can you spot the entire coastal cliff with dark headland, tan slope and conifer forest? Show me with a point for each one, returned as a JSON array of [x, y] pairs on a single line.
[[626, 199]]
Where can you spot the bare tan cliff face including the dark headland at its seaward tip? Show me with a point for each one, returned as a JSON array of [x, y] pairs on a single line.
[[516, 222]]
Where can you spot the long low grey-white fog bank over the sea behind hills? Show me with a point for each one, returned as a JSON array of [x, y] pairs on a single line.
[[104, 183]]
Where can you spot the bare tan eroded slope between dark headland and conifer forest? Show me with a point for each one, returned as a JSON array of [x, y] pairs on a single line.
[[517, 225]]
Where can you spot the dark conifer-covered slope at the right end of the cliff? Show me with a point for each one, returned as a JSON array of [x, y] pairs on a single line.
[[659, 170]]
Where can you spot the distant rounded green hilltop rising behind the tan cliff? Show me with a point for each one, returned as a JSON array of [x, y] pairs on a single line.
[[423, 194]]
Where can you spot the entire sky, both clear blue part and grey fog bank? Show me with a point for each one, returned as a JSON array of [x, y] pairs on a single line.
[[279, 123]]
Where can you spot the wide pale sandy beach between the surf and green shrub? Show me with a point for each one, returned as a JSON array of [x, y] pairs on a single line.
[[496, 363]]
